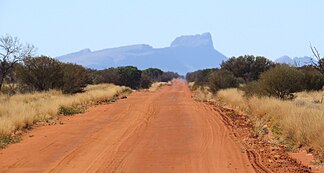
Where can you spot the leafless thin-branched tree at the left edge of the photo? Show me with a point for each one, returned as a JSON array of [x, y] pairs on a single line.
[[11, 53]]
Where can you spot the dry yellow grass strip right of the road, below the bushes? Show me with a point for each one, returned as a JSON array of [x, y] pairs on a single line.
[[299, 122]]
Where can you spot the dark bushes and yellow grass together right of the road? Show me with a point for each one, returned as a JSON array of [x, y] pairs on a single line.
[[283, 101]]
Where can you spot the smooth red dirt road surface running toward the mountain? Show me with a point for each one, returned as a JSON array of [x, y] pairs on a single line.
[[163, 131]]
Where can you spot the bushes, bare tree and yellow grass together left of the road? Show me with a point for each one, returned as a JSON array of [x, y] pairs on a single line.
[[39, 88]]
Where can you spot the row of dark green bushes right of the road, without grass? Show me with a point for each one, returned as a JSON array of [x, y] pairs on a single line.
[[260, 77]]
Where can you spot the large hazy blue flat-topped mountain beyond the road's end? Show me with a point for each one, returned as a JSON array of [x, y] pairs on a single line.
[[185, 54]]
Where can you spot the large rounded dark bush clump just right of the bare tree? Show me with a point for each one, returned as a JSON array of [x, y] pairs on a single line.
[[45, 73]]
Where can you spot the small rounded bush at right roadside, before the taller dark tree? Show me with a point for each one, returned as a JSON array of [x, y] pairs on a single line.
[[222, 79]]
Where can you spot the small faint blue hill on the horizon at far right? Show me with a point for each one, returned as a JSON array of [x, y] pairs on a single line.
[[297, 61]]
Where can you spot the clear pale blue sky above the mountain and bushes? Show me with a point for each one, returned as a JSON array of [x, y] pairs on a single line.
[[260, 27]]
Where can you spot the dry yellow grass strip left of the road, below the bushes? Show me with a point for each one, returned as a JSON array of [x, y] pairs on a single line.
[[23, 110]]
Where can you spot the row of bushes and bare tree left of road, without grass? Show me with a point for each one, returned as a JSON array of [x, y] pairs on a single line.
[[21, 72]]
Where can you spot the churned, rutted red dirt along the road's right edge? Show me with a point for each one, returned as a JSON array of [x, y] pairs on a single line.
[[264, 156]]
